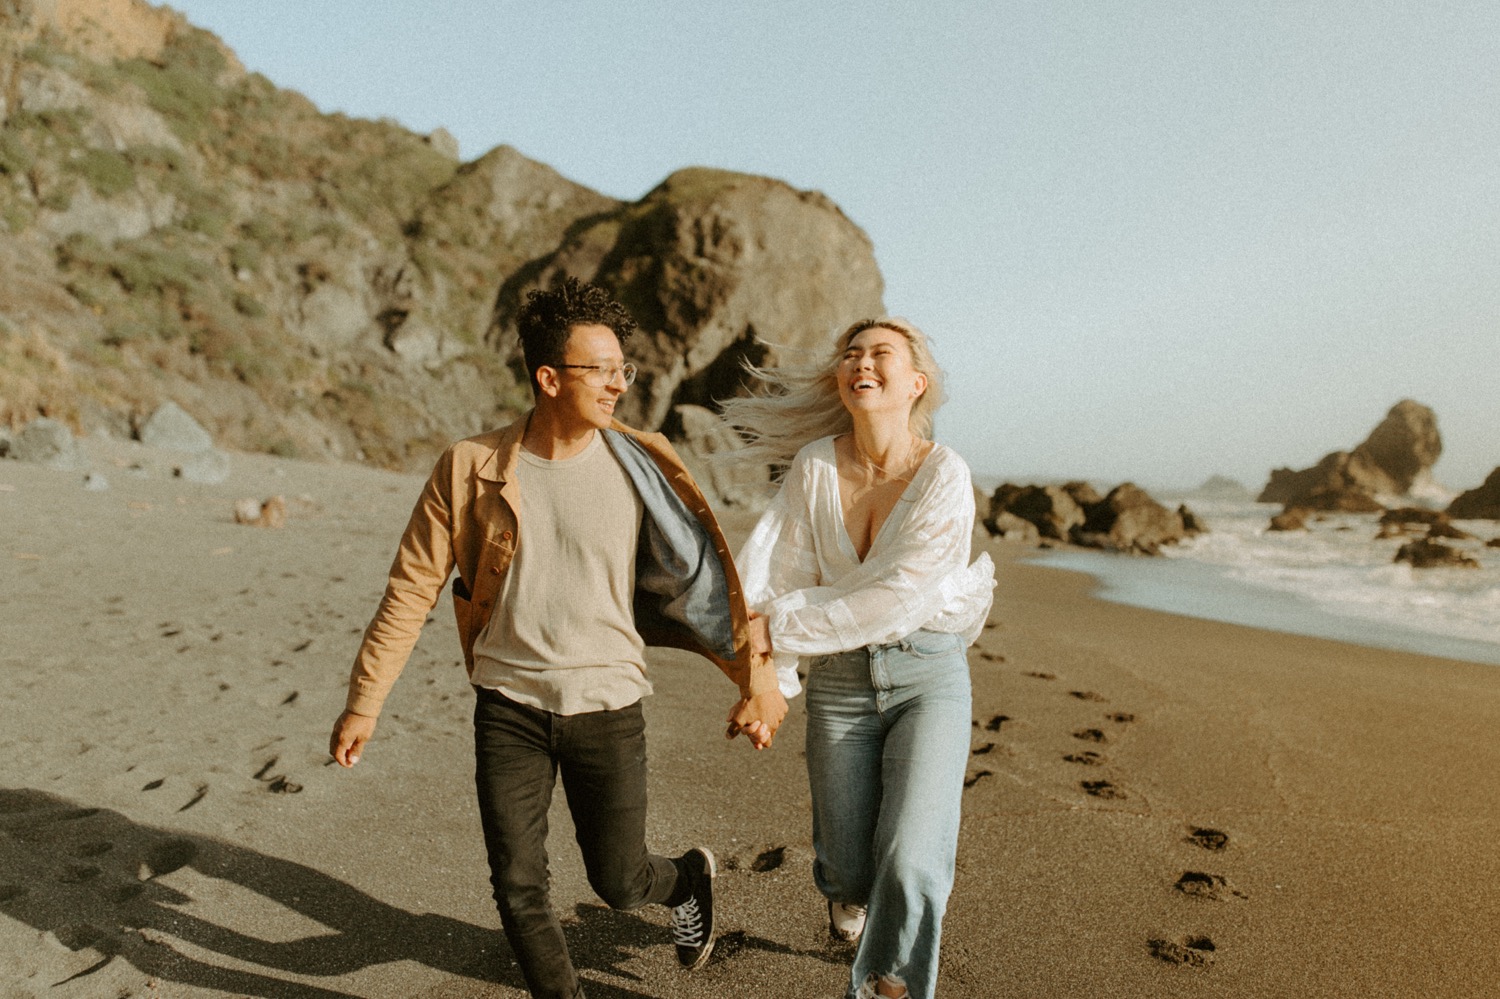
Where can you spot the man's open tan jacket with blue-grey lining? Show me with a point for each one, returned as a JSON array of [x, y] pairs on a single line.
[[467, 518]]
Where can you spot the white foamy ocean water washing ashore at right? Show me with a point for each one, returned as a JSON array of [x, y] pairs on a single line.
[[1333, 581]]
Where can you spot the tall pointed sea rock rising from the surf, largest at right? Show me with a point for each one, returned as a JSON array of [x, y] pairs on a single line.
[[1394, 461]]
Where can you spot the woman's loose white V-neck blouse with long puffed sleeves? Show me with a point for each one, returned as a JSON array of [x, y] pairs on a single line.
[[800, 568]]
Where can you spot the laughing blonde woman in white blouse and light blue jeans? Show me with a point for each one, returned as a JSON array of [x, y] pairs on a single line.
[[860, 569]]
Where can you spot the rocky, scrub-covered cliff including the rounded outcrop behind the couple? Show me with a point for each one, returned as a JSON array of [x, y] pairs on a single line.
[[173, 227]]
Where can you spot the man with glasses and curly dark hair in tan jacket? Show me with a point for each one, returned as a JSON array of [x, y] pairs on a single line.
[[578, 542]]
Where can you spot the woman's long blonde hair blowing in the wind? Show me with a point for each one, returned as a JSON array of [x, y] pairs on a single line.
[[799, 404]]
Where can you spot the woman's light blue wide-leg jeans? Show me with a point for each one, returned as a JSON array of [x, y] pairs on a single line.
[[887, 749]]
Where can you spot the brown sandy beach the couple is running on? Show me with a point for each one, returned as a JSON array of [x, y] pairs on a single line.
[[1157, 806]]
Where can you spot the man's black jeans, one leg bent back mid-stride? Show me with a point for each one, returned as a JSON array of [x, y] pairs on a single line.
[[602, 755]]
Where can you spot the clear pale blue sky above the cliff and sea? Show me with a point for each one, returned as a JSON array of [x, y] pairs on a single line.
[[1150, 241]]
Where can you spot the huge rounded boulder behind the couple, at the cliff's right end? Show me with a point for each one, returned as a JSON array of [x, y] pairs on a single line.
[[718, 268]]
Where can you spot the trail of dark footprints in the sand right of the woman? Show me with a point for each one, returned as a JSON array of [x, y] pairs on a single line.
[[1189, 950]]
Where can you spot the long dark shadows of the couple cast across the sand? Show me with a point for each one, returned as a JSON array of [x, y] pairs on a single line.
[[92, 878]]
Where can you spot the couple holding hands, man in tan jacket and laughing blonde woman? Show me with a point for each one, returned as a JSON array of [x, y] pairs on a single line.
[[580, 542]]
